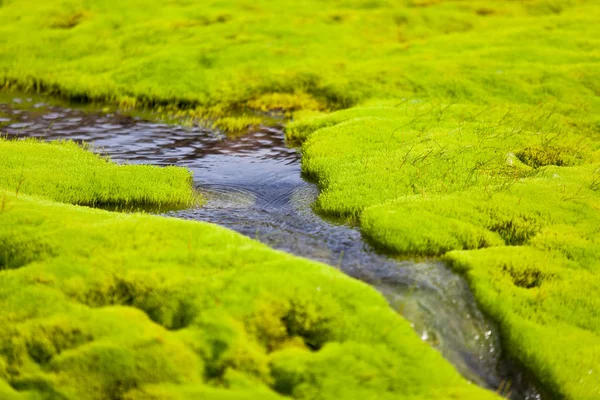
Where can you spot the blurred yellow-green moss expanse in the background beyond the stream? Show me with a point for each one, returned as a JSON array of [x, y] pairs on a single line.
[[301, 54]]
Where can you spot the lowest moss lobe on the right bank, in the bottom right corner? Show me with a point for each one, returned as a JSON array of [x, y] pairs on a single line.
[[546, 305]]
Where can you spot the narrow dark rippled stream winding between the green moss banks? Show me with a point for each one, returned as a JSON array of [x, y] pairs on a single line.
[[254, 186]]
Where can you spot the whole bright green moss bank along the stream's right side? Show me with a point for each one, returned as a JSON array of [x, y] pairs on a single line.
[[521, 183]]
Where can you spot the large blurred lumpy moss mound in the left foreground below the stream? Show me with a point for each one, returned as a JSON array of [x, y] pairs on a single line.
[[106, 305]]
